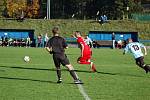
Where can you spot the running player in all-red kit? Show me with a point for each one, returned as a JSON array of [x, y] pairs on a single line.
[[86, 51]]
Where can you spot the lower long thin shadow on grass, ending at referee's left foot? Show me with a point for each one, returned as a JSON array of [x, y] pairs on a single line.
[[25, 79]]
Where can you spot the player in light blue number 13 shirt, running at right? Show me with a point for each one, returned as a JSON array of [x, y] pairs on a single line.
[[136, 49]]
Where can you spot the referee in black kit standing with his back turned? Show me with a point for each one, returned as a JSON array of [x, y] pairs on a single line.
[[56, 46]]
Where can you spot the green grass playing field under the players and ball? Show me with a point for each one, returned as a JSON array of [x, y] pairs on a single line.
[[118, 77]]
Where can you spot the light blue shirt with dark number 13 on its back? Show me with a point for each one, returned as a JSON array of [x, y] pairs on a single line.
[[135, 49]]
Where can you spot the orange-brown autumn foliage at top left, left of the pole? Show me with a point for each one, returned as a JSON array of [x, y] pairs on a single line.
[[17, 9]]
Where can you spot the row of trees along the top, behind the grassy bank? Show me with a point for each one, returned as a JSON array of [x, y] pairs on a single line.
[[79, 9]]
